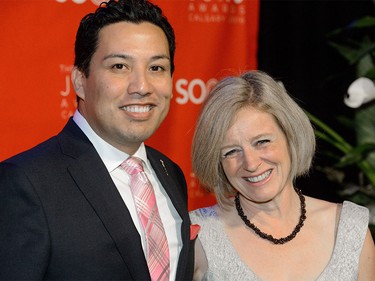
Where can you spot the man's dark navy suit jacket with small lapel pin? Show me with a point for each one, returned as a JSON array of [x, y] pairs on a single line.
[[62, 218]]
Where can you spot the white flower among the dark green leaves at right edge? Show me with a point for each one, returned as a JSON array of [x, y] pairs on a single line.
[[360, 92]]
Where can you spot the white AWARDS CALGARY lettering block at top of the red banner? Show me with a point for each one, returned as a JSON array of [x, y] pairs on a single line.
[[217, 11]]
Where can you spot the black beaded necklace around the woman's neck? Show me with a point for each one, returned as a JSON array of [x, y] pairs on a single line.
[[268, 236]]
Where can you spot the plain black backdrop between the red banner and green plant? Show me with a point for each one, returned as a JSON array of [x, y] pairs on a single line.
[[293, 47]]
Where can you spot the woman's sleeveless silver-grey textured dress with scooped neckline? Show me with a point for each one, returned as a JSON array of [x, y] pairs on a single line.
[[224, 264]]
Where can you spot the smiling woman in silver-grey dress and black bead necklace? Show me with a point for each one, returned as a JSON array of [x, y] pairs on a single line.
[[251, 142]]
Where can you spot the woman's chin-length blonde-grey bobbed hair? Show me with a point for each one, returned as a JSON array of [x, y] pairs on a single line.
[[252, 89]]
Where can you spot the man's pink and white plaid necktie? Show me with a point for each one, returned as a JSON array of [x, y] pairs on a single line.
[[145, 202]]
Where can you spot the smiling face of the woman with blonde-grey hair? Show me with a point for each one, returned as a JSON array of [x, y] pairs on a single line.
[[255, 156]]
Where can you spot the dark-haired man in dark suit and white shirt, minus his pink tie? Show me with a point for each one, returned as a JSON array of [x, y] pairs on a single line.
[[66, 209]]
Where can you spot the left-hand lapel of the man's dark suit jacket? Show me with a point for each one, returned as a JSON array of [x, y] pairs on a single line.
[[95, 183]]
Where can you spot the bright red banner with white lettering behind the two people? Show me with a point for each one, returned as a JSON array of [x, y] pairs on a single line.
[[214, 38]]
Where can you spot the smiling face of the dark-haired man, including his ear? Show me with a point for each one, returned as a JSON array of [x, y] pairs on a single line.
[[127, 93]]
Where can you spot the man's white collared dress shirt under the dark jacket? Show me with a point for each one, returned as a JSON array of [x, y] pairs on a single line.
[[112, 158]]
